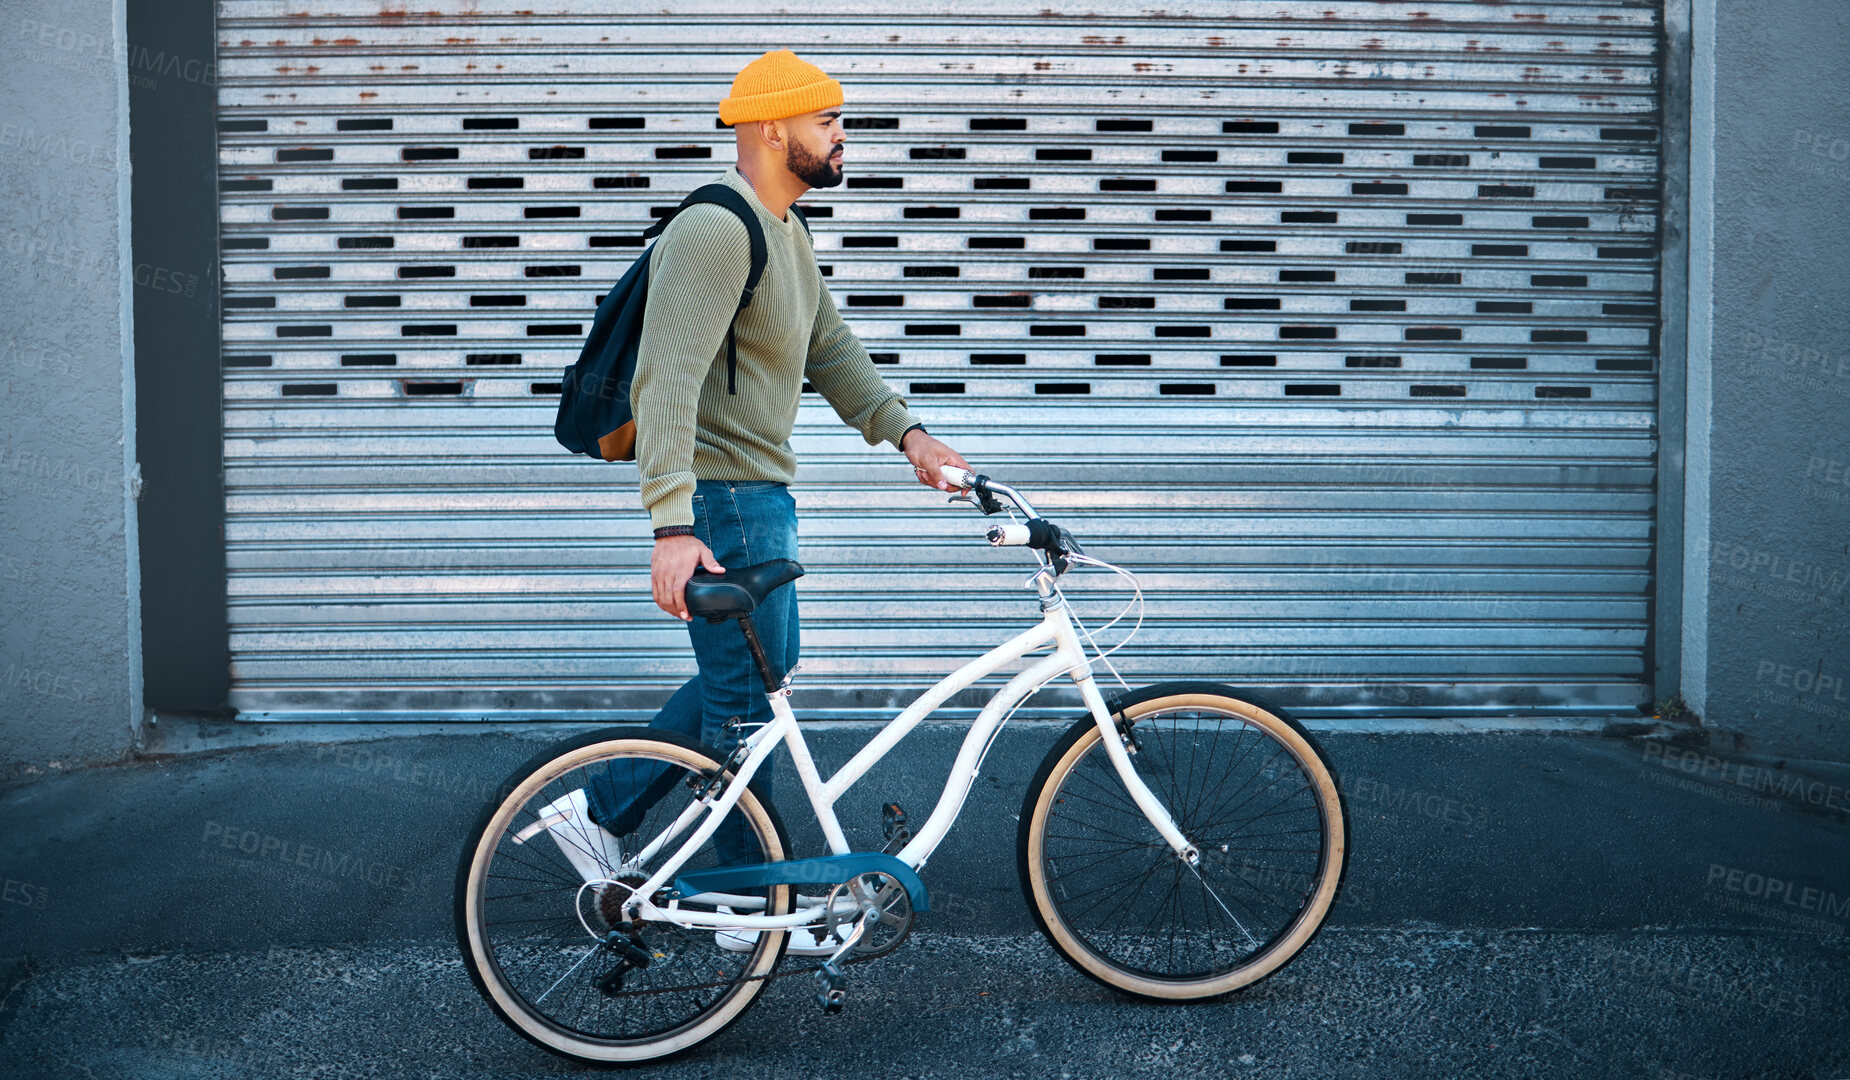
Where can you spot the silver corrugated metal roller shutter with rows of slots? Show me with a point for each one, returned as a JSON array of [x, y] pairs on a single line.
[[1337, 321]]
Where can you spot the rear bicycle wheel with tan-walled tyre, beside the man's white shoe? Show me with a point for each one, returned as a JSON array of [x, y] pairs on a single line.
[[532, 929]]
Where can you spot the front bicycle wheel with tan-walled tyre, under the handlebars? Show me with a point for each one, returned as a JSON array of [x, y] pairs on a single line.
[[1246, 785]]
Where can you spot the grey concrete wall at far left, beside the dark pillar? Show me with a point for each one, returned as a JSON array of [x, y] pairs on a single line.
[[69, 580]]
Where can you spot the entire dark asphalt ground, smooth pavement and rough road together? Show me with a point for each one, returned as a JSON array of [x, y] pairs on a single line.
[[1518, 905]]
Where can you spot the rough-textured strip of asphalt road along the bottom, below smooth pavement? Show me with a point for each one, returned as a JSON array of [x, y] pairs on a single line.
[[1355, 1005]]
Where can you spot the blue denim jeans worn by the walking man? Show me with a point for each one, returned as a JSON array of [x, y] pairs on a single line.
[[743, 524]]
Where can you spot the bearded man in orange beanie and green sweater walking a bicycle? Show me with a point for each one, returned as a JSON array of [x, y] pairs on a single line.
[[713, 450]]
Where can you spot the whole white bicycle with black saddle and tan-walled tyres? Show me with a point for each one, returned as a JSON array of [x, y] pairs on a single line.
[[1179, 842]]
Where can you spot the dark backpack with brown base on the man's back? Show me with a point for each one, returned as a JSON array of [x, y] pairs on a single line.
[[595, 415]]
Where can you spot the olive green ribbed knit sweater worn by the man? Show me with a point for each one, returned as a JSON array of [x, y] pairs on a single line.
[[687, 424]]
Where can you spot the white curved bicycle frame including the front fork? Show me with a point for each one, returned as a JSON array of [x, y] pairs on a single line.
[[1068, 657]]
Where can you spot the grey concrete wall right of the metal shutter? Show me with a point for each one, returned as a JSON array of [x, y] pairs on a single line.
[[1771, 143]]
